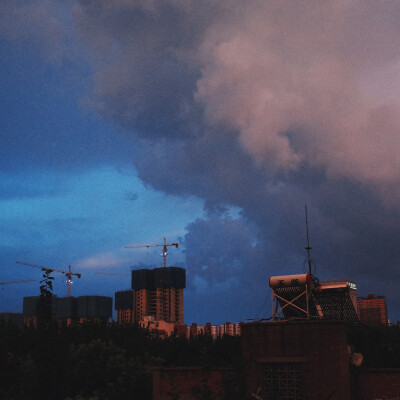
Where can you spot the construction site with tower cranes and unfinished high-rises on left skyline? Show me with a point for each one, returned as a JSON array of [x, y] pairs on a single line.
[[155, 293]]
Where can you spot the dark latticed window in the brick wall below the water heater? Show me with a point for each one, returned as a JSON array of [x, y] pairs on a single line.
[[283, 381]]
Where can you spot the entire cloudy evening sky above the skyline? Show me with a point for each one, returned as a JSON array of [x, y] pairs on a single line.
[[210, 123]]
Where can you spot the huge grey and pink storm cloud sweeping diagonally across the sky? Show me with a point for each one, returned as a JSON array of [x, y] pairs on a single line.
[[262, 106]]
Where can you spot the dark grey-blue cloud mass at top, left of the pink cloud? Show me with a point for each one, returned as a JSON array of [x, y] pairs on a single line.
[[147, 80]]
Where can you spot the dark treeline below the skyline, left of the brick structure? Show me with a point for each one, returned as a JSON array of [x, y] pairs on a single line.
[[98, 362]]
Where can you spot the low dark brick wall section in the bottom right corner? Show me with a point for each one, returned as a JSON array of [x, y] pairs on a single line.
[[378, 384]]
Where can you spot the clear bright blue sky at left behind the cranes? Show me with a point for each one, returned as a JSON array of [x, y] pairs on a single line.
[[69, 193]]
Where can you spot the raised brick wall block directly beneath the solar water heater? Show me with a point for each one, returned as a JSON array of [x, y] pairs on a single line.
[[318, 348]]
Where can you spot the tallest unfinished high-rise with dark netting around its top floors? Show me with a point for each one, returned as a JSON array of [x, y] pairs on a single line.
[[155, 292]]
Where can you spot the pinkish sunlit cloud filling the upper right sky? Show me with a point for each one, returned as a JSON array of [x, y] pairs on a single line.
[[284, 66]]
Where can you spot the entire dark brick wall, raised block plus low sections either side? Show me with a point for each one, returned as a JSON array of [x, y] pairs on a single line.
[[312, 354]]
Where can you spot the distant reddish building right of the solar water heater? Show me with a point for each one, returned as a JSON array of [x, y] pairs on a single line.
[[372, 310]]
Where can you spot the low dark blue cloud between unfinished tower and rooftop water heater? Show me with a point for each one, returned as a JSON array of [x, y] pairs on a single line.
[[226, 270]]
